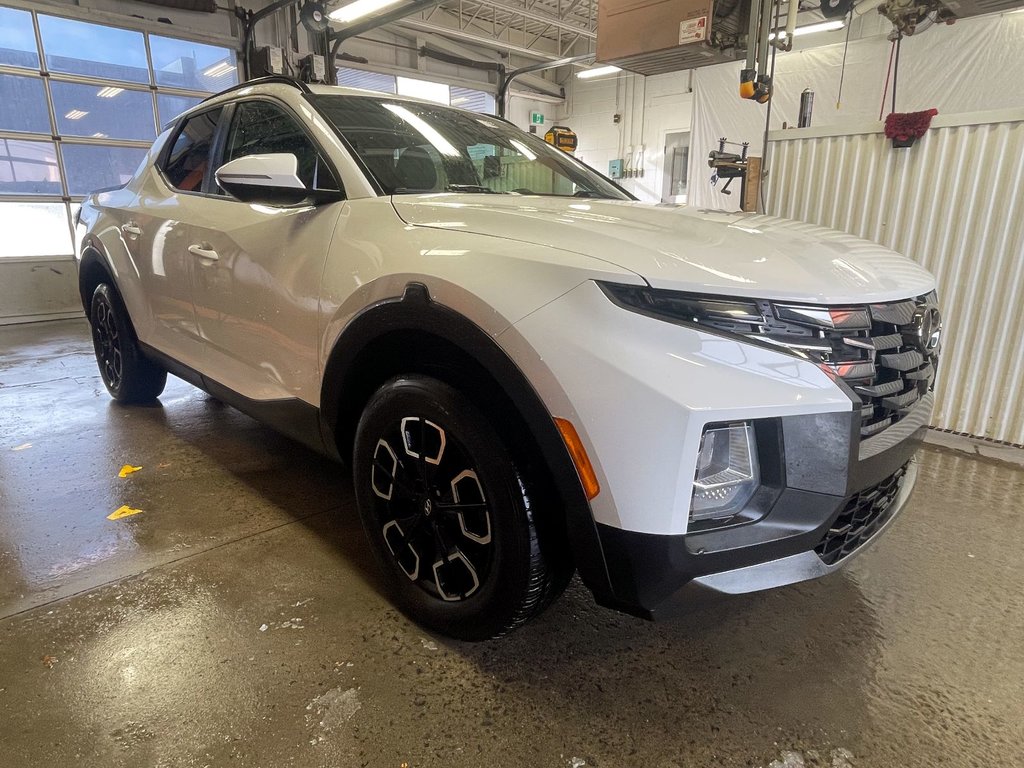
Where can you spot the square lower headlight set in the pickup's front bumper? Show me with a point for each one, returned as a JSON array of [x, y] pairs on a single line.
[[728, 473]]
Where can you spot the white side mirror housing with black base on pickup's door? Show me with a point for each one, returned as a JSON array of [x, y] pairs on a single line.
[[270, 180]]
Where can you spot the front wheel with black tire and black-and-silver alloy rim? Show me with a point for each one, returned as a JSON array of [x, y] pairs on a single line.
[[448, 514]]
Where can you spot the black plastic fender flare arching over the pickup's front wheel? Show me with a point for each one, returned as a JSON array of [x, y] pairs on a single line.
[[415, 312]]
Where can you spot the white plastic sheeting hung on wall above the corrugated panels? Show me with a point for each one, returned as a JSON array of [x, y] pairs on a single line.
[[971, 66]]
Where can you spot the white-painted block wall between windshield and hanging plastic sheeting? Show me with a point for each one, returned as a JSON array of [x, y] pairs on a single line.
[[649, 110]]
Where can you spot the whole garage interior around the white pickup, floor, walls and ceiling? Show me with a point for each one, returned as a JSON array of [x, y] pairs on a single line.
[[181, 585]]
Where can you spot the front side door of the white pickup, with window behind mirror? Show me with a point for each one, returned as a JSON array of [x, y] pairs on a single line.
[[258, 269]]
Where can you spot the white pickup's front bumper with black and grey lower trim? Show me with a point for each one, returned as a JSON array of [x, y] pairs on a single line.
[[641, 401]]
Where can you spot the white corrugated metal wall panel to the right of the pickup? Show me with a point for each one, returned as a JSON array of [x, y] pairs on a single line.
[[955, 202]]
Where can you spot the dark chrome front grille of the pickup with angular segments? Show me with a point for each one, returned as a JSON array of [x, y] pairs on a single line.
[[887, 354]]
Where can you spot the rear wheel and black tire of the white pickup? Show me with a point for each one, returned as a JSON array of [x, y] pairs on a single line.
[[130, 376]]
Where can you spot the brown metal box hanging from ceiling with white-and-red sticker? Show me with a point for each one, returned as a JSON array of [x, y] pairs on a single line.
[[653, 37]]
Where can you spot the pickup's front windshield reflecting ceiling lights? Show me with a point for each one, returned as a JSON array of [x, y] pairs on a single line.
[[412, 148]]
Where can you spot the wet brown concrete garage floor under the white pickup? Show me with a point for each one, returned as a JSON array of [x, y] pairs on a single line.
[[238, 619]]
